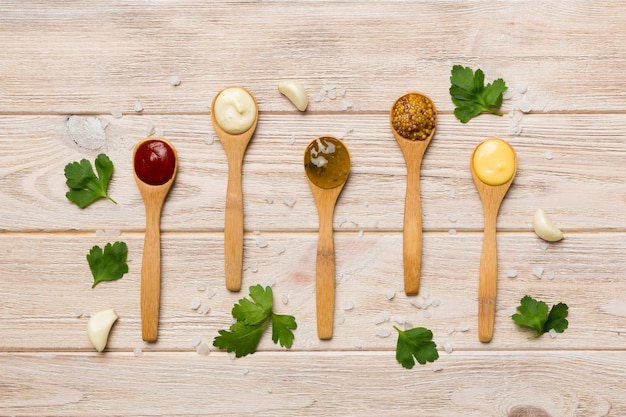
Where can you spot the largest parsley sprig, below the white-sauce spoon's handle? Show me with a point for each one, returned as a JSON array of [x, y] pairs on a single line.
[[253, 317]]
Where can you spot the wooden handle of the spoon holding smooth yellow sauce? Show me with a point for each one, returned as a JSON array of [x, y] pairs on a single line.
[[488, 281]]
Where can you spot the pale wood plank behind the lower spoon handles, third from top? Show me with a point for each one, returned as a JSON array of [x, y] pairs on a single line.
[[46, 285]]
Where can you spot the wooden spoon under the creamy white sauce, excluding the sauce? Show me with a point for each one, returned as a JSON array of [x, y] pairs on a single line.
[[235, 147]]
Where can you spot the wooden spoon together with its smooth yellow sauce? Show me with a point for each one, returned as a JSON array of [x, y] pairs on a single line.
[[493, 166]]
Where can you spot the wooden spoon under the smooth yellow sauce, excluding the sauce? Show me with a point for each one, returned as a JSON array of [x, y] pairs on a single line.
[[491, 197]]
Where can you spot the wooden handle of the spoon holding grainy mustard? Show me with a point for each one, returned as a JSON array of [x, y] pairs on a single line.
[[412, 235]]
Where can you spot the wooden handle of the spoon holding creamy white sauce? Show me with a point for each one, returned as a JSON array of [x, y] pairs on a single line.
[[233, 225]]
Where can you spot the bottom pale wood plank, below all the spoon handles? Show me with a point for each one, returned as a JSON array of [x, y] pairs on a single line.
[[574, 383]]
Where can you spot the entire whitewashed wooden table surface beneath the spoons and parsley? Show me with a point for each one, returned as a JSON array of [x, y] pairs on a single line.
[[67, 69]]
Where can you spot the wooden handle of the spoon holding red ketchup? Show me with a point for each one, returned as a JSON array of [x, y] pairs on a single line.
[[151, 274]]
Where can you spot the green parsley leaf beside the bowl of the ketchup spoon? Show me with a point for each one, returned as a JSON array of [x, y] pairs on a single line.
[[85, 186]]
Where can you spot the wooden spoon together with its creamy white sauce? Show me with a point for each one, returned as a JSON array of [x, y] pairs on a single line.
[[234, 114]]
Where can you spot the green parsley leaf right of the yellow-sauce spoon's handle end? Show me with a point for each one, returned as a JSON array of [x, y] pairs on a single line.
[[535, 315]]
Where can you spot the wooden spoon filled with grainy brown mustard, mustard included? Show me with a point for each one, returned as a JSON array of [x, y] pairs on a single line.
[[413, 119]]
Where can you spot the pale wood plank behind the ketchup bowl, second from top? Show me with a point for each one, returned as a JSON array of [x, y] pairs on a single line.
[[586, 160]]
